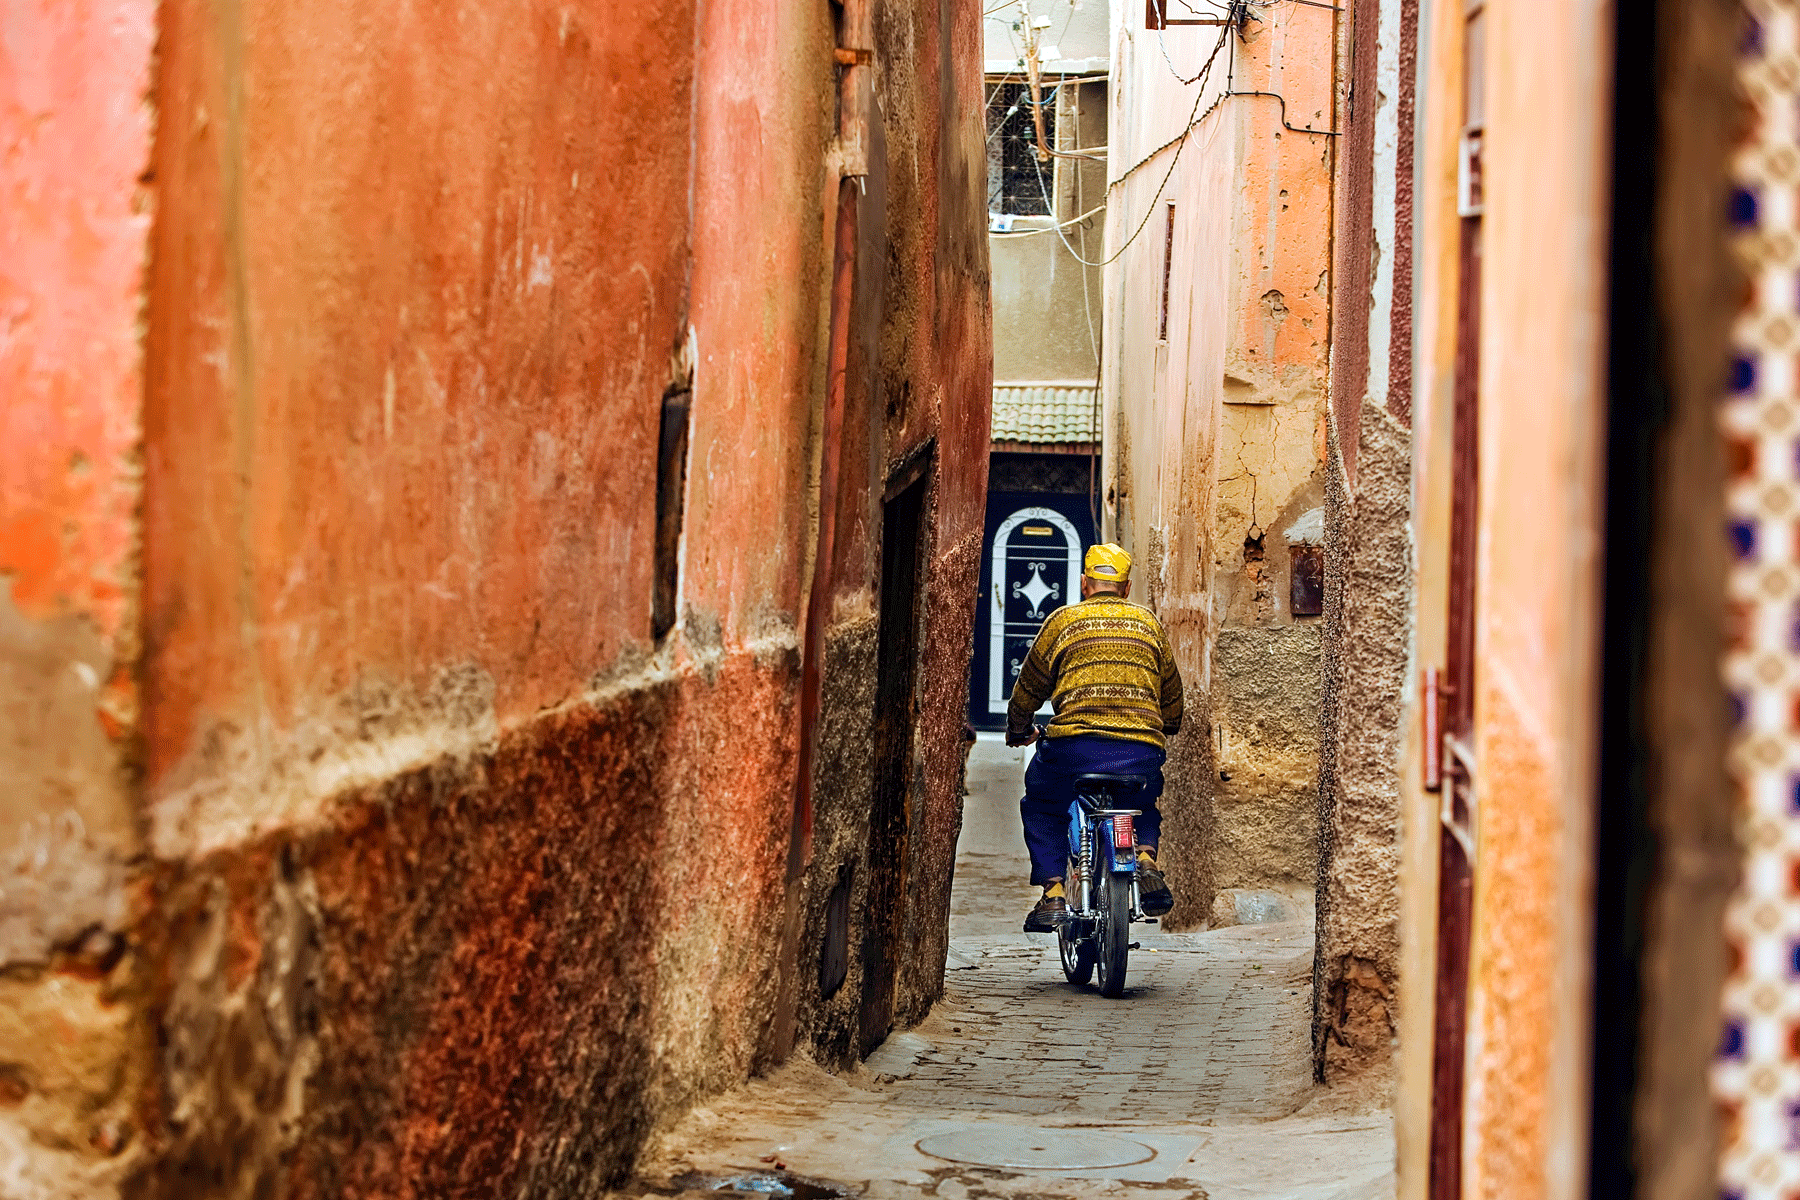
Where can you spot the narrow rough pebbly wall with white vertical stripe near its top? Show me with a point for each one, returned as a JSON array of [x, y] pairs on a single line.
[[1369, 560]]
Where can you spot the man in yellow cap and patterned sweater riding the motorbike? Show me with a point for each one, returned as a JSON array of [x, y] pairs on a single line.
[[1110, 674]]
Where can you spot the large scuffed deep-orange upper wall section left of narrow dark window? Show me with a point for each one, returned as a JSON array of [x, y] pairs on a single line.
[[411, 325]]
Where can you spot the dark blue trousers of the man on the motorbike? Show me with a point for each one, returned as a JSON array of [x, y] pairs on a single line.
[[1050, 793]]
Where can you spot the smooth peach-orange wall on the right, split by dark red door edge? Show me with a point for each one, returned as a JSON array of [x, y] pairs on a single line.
[[1542, 465]]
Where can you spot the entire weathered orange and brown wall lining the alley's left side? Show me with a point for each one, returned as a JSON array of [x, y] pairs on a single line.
[[431, 861]]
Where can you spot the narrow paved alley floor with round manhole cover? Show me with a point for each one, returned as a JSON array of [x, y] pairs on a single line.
[[1198, 1084]]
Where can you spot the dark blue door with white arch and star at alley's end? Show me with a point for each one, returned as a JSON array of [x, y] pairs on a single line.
[[1034, 568]]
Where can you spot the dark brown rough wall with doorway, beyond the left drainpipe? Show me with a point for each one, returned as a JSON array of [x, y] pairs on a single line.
[[919, 397]]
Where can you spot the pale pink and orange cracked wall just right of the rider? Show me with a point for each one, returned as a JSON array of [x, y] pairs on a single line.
[[1216, 431]]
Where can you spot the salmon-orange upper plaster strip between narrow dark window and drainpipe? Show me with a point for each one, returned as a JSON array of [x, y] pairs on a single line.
[[760, 265]]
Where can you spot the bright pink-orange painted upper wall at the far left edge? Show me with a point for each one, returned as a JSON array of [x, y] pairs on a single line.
[[75, 127]]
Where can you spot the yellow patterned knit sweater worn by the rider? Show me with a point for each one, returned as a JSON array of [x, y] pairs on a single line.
[[1108, 668]]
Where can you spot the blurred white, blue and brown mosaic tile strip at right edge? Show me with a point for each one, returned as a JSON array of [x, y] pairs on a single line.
[[1758, 1077]]
